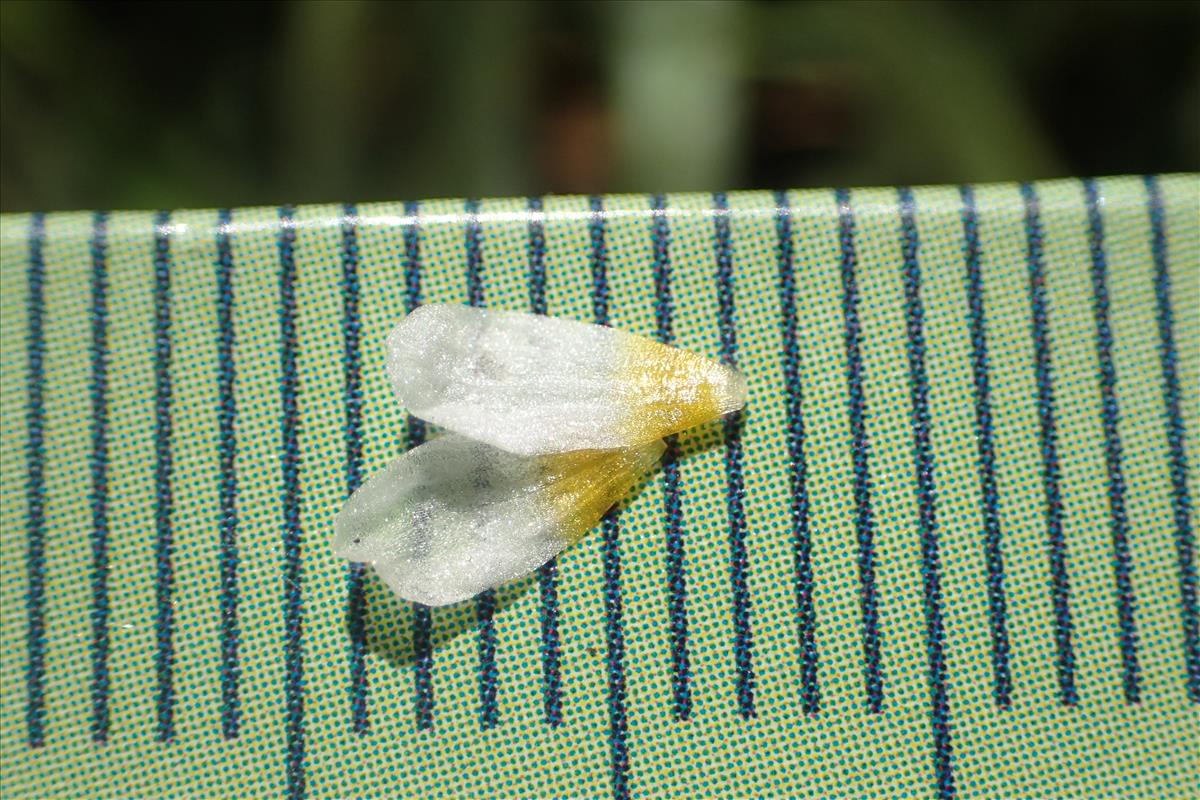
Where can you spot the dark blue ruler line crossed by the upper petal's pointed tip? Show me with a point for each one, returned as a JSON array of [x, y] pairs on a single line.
[[740, 562]]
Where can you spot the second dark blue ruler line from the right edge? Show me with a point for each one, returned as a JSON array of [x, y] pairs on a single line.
[[1123, 564]]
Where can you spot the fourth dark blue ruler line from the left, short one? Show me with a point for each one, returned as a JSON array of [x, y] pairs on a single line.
[[227, 449]]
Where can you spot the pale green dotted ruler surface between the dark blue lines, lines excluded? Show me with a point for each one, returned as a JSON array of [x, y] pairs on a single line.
[[1039, 748]]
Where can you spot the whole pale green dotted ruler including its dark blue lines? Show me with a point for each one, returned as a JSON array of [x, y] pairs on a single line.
[[175, 623]]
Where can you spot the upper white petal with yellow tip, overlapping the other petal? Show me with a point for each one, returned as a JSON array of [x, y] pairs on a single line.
[[533, 384]]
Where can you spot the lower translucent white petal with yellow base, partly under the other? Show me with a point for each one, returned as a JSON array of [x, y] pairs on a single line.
[[457, 516]]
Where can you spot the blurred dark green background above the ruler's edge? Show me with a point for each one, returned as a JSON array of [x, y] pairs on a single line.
[[202, 105]]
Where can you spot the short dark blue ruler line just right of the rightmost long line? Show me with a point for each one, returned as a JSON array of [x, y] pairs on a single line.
[[993, 540]]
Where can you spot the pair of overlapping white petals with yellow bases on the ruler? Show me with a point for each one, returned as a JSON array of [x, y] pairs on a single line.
[[549, 424]]
